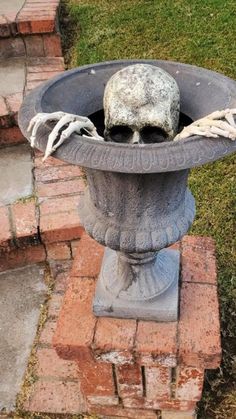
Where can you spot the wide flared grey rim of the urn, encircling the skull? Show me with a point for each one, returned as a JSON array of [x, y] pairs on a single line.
[[193, 81]]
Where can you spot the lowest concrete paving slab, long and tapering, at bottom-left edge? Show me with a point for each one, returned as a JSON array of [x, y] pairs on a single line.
[[22, 291]]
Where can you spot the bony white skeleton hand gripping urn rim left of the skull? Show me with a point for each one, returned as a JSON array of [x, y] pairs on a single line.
[[66, 125]]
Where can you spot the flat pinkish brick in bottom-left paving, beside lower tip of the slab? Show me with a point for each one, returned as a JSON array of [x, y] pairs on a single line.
[[56, 397]]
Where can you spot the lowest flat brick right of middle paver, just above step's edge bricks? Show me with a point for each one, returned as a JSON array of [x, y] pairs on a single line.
[[58, 205]]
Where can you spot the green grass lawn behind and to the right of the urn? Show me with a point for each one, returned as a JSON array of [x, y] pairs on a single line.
[[200, 32]]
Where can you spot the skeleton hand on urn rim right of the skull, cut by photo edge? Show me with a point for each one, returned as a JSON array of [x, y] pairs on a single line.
[[218, 123]]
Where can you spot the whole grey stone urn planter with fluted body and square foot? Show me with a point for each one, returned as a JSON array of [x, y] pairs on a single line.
[[137, 201]]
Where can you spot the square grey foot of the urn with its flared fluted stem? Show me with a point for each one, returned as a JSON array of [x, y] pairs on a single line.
[[138, 287]]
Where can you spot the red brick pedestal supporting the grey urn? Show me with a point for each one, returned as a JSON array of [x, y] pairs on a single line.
[[141, 369]]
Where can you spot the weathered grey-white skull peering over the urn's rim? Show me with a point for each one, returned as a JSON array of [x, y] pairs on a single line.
[[141, 105]]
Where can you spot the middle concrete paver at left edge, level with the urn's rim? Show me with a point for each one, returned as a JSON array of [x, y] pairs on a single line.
[[16, 180]]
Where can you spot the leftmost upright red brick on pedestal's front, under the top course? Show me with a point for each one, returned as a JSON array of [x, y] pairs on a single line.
[[96, 378]]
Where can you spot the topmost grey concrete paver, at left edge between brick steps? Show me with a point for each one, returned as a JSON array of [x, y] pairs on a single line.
[[12, 76]]
